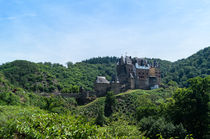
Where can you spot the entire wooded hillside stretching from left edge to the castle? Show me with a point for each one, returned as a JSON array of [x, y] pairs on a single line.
[[48, 77]]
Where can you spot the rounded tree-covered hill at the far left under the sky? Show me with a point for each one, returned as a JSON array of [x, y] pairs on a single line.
[[28, 75]]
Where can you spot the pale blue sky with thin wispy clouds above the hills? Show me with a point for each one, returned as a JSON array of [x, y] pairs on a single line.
[[73, 30]]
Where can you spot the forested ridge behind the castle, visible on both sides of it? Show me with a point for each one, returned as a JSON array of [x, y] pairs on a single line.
[[48, 77]]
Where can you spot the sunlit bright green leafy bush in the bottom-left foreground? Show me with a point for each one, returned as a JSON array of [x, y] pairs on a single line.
[[19, 122]]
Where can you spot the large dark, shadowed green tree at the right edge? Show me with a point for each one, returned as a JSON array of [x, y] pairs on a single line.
[[191, 106]]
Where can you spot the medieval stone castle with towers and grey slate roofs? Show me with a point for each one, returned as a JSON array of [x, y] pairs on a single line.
[[132, 73]]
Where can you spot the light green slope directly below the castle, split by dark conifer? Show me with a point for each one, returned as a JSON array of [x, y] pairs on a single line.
[[128, 102]]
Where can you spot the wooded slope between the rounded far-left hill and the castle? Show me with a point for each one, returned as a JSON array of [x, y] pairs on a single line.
[[79, 74]]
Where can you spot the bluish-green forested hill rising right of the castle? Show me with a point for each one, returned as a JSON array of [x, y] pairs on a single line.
[[196, 65]]
